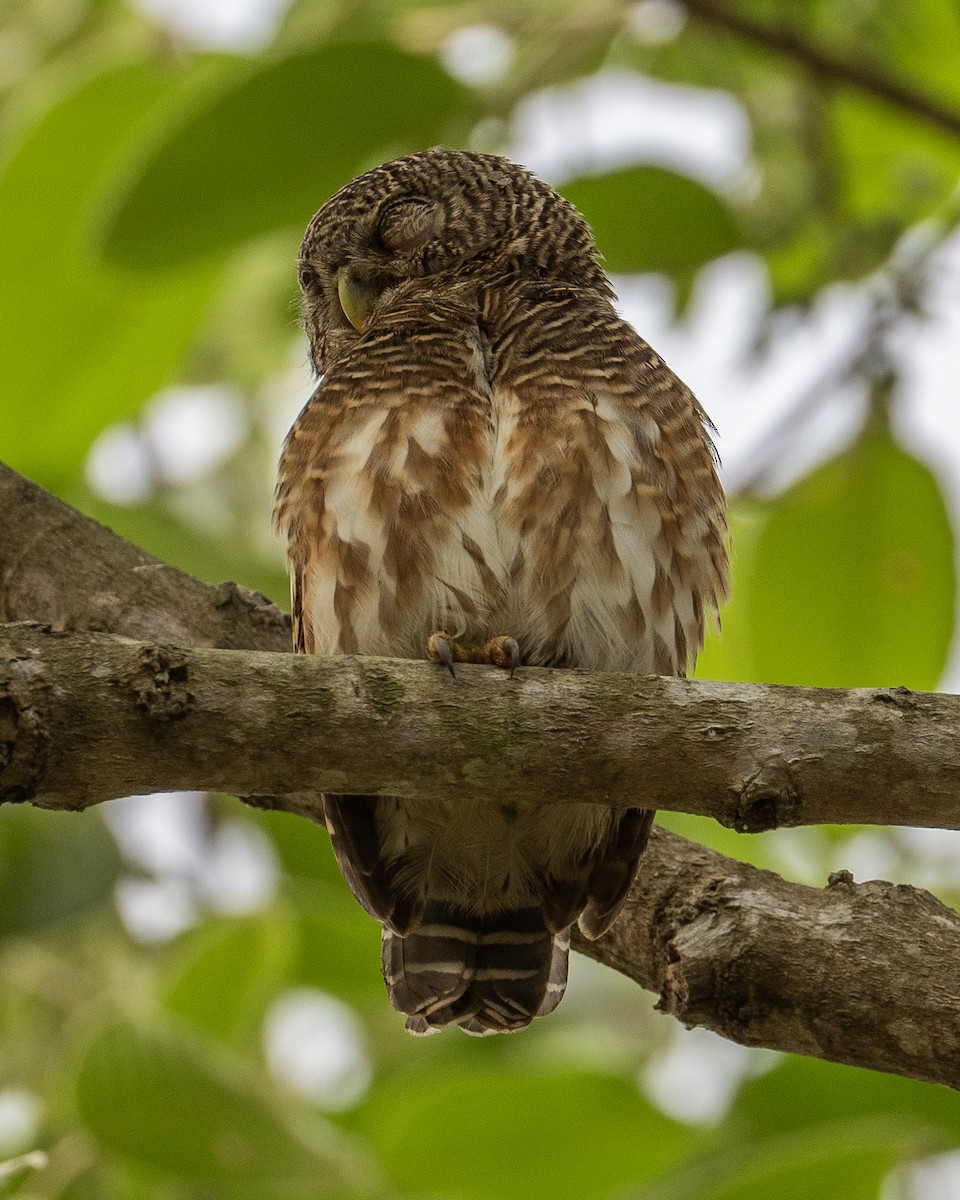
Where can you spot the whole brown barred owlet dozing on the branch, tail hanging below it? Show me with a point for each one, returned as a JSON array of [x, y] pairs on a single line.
[[494, 467]]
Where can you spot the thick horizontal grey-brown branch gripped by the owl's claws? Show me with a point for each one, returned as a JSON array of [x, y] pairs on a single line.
[[92, 717]]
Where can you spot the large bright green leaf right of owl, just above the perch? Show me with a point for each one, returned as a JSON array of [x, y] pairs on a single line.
[[854, 580]]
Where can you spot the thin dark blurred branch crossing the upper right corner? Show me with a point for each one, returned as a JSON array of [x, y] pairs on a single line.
[[823, 65]]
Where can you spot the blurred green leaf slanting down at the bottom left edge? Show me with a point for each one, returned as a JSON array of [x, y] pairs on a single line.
[[170, 1103]]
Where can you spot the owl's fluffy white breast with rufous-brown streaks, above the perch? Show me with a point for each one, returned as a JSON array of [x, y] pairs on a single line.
[[501, 494]]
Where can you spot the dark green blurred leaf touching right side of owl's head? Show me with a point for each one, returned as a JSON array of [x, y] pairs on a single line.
[[646, 219]]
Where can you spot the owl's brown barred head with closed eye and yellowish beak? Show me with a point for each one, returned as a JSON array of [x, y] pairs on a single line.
[[437, 221]]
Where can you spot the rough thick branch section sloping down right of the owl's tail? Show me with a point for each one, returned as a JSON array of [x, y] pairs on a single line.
[[862, 974]]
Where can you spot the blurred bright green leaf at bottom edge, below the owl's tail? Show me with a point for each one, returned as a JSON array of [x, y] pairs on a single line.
[[496, 1136]]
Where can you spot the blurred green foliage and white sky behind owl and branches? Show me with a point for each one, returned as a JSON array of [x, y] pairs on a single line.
[[190, 1000]]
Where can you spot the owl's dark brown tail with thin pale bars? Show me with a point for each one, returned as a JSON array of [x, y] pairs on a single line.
[[488, 975]]
